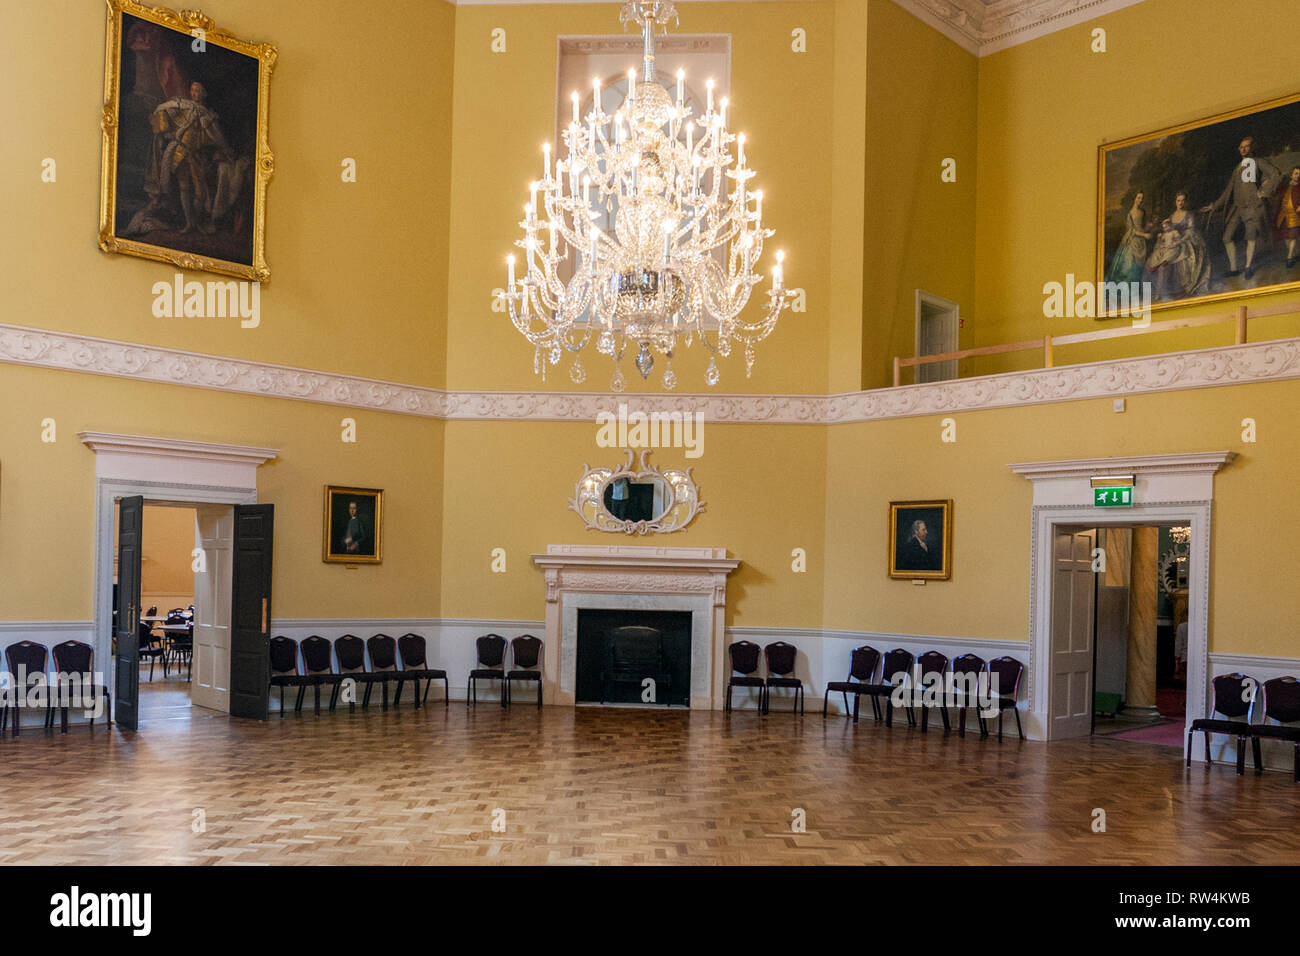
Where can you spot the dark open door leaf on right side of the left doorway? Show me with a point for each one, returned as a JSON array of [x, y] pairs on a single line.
[[250, 612]]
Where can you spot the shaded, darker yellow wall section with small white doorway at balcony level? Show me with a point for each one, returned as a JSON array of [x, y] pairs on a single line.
[[921, 111]]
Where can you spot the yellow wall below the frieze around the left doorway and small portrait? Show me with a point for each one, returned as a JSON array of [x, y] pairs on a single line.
[[47, 499]]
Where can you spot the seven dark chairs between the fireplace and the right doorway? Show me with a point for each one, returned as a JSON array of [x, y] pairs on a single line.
[[878, 677]]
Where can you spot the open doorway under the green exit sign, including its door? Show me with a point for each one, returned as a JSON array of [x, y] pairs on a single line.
[[1120, 598]]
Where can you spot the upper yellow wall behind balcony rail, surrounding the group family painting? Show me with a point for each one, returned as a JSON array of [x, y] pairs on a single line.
[[1046, 107]]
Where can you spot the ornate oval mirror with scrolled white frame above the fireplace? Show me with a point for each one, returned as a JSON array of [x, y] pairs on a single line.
[[636, 501]]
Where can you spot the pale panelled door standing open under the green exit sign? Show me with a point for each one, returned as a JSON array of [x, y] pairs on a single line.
[[1073, 587]]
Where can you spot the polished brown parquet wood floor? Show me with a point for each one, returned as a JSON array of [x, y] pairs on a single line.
[[617, 786]]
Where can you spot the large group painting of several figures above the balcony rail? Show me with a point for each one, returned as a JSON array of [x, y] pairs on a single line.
[[1204, 211]]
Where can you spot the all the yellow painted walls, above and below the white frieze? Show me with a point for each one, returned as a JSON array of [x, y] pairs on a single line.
[[361, 285]]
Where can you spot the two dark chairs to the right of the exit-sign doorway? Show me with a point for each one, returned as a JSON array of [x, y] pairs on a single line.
[[1237, 697]]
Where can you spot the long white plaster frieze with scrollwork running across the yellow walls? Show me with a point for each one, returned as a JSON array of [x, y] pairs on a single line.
[[1259, 362]]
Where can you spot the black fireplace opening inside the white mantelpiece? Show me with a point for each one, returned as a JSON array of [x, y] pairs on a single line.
[[634, 657]]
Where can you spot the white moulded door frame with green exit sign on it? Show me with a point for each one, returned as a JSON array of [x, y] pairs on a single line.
[[1169, 490]]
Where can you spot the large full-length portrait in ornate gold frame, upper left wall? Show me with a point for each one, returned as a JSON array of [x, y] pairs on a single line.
[[187, 159]]
